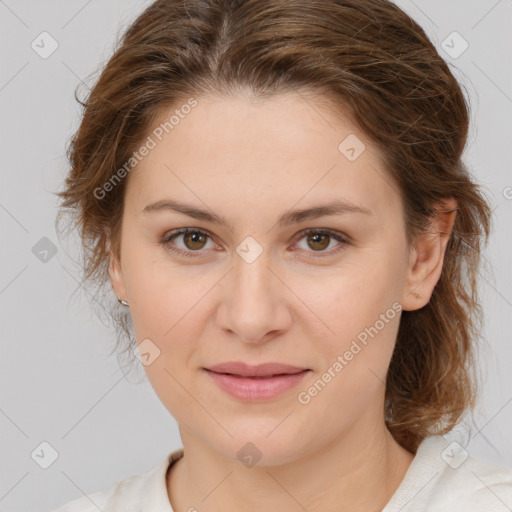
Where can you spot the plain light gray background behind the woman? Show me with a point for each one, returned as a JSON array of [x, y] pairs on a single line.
[[58, 383]]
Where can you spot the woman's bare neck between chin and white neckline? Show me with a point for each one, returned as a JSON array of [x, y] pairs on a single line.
[[357, 472]]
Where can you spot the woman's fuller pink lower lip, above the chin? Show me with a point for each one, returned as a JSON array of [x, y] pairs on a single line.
[[256, 390]]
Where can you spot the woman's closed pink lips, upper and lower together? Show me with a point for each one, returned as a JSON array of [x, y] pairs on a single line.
[[259, 383]]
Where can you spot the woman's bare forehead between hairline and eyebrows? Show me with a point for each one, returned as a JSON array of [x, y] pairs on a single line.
[[235, 150]]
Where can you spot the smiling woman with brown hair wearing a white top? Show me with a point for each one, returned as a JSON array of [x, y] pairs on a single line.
[[275, 193]]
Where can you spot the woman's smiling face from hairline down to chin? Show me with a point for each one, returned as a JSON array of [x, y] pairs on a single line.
[[257, 287]]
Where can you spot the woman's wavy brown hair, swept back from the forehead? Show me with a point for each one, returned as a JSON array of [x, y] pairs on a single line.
[[368, 57]]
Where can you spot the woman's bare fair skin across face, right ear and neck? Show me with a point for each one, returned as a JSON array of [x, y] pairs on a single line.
[[249, 162]]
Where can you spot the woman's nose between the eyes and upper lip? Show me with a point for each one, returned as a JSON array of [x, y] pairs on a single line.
[[254, 302]]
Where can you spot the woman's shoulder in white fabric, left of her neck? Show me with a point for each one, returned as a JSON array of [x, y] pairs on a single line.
[[143, 490]]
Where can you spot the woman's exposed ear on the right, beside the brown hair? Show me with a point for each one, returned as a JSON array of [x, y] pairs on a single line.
[[427, 256]]
